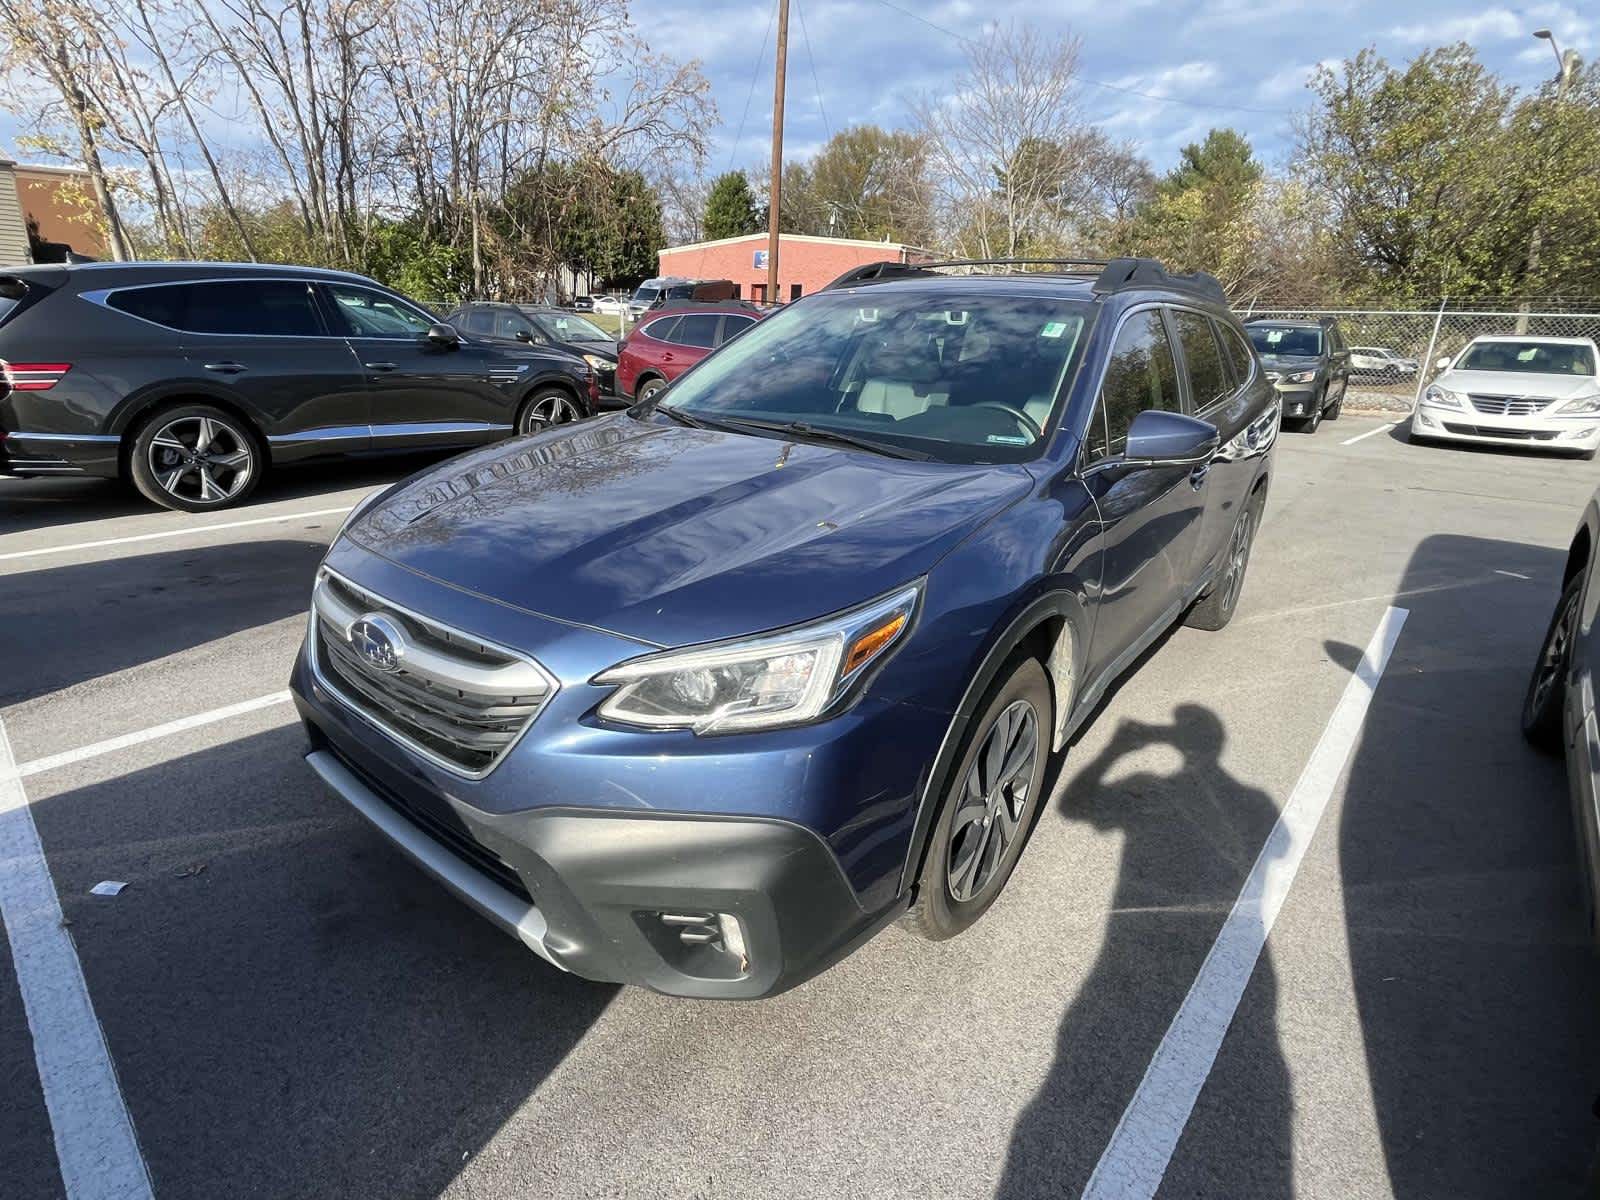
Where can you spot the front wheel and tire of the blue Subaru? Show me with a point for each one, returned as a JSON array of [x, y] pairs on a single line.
[[948, 902]]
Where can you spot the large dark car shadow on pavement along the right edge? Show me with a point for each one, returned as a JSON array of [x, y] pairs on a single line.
[[1476, 990]]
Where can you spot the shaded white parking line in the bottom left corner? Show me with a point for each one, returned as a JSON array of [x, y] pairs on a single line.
[[95, 1142]]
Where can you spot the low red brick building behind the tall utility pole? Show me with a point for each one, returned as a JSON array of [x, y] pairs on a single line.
[[804, 263]]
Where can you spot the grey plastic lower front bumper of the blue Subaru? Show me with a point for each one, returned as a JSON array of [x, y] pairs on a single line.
[[695, 906]]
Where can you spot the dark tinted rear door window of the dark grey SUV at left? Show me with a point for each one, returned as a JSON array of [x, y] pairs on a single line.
[[263, 310]]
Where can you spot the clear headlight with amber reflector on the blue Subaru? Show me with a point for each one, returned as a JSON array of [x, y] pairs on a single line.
[[759, 684]]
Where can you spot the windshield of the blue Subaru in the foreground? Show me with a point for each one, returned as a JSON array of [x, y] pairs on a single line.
[[958, 377]]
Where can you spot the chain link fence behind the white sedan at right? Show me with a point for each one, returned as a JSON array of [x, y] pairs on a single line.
[[1414, 340]]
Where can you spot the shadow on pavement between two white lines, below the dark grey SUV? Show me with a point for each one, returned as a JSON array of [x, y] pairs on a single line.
[[68, 625]]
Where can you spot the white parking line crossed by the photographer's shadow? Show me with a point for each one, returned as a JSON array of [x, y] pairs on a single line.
[[1148, 1134]]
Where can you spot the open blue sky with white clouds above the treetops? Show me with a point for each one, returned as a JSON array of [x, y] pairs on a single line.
[[1239, 63]]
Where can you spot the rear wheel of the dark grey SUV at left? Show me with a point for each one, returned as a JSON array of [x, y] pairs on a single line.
[[196, 458]]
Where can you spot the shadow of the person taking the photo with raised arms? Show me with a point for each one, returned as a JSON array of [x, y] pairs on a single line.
[[1190, 838]]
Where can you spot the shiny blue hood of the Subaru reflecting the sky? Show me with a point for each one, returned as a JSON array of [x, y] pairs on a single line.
[[674, 535]]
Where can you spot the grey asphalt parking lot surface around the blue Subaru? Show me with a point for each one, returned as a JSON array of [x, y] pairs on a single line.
[[294, 1010]]
